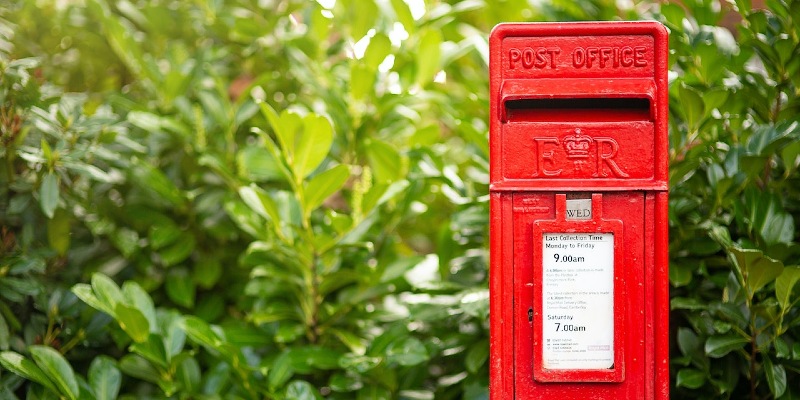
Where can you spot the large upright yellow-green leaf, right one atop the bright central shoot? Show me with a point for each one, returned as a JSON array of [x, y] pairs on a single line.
[[312, 145]]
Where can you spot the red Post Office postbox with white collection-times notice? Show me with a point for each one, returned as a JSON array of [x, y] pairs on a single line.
[[578, 277]]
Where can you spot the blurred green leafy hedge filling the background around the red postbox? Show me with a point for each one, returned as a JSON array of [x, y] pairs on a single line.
[[251, 199]]
